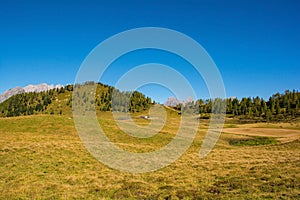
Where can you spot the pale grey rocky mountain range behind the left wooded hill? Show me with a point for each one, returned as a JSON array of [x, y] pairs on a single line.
[[30, 88]]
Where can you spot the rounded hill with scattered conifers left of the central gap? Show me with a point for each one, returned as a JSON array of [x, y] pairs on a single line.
[[59, 101]]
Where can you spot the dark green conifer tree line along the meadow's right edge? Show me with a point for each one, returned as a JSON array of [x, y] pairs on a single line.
[[277, 107]]
